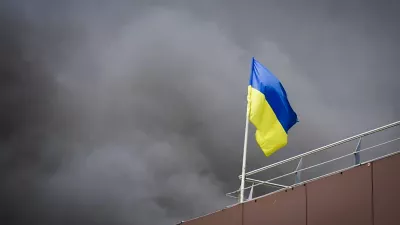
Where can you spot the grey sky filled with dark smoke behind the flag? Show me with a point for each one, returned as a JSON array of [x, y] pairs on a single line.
[[133, 112]]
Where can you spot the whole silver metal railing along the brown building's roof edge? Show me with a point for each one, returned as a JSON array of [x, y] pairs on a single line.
[[300, 157]]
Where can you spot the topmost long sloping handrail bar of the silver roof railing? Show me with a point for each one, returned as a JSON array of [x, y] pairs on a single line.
[[323, 148]]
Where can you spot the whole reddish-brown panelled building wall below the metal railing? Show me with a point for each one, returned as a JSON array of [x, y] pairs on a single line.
[[365, 195]]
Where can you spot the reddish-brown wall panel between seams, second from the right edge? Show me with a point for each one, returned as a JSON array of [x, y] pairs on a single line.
[[344, 198]]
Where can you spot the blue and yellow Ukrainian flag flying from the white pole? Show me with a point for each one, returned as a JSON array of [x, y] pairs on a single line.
[[268, 109]]
